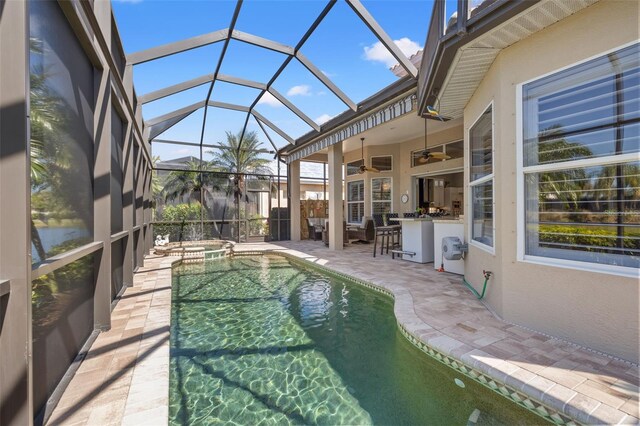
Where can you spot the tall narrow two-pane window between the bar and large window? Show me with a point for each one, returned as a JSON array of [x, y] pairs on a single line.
[[481, 175]]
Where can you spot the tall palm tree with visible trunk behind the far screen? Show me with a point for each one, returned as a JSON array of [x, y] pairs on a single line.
[[239, 156]]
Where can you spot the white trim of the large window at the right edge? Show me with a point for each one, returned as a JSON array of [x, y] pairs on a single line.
[[521, 255]]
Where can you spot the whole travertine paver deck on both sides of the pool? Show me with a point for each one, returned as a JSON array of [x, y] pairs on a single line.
[[124, 379]]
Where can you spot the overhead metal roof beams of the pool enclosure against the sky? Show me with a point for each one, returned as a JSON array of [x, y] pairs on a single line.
[[158, 125]]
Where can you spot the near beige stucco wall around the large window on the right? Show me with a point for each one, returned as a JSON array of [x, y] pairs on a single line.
[[598, 310]]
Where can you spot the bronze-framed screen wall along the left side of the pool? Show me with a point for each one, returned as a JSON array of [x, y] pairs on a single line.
[[103, 264]]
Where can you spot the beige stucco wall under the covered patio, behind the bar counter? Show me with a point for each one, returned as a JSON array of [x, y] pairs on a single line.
[[402, 172]]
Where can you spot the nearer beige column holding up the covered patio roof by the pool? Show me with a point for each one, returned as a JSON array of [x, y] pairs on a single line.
[[336, 236]]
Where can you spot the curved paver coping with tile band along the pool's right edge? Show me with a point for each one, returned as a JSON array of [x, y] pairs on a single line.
[[494, 374]]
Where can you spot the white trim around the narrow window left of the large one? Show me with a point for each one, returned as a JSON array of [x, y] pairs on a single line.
[[483, 179]]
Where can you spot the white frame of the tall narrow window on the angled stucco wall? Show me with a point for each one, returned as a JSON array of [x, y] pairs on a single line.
[[475, 183]]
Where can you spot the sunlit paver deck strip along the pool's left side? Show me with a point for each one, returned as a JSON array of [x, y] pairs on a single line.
[[124, 379]]
